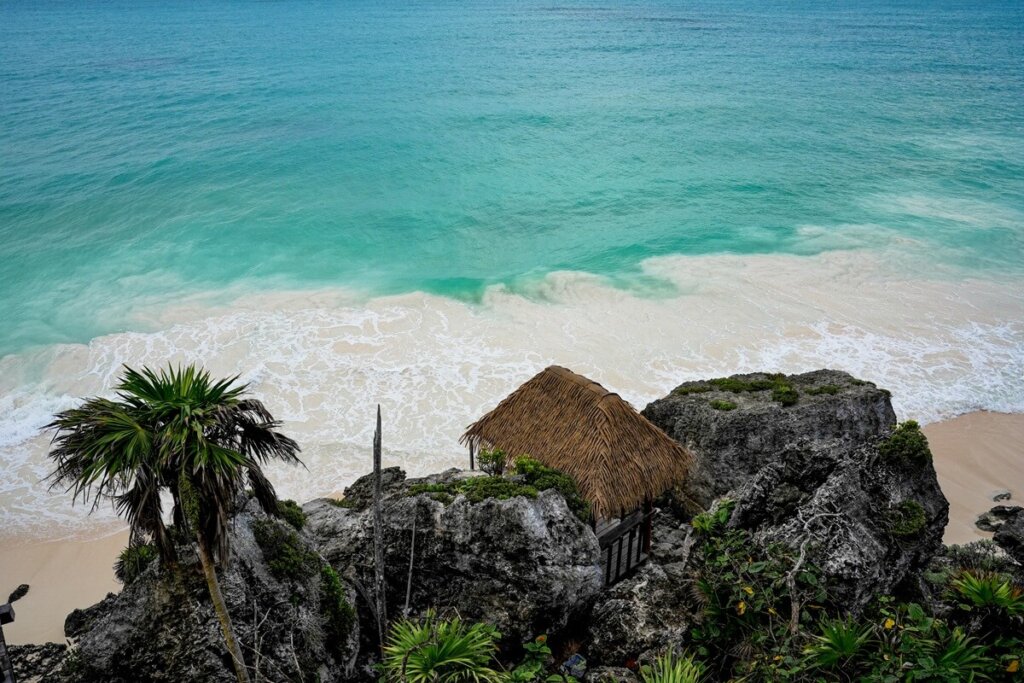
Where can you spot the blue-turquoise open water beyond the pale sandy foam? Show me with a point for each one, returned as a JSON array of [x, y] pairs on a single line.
[[152, 151]]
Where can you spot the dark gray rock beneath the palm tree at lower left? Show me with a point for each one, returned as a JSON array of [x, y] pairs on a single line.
[[162, 627]]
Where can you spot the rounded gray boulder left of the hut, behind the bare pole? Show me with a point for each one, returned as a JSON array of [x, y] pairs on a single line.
[[526, 566]]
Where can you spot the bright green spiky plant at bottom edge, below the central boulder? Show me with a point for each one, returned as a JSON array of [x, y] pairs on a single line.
[[441, 651]]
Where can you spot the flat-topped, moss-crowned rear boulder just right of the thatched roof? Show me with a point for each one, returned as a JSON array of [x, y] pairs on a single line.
[[733, 446]]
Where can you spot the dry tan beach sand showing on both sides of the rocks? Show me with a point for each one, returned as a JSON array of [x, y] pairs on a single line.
[[975, 455]]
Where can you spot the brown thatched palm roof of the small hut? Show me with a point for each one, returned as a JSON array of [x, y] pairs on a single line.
[[619, 458]]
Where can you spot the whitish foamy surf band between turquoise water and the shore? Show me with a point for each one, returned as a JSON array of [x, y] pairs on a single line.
[[322, 361]]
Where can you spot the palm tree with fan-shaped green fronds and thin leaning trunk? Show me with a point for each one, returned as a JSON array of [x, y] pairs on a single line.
[[176, 432]]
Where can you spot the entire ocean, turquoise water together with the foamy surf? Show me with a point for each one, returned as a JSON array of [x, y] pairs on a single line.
[[423, 204]]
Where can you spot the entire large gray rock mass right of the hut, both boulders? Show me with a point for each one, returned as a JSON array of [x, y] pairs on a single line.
[[813, 473]]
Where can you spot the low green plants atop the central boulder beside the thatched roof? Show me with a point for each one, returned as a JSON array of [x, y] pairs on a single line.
[[534, 478]]
